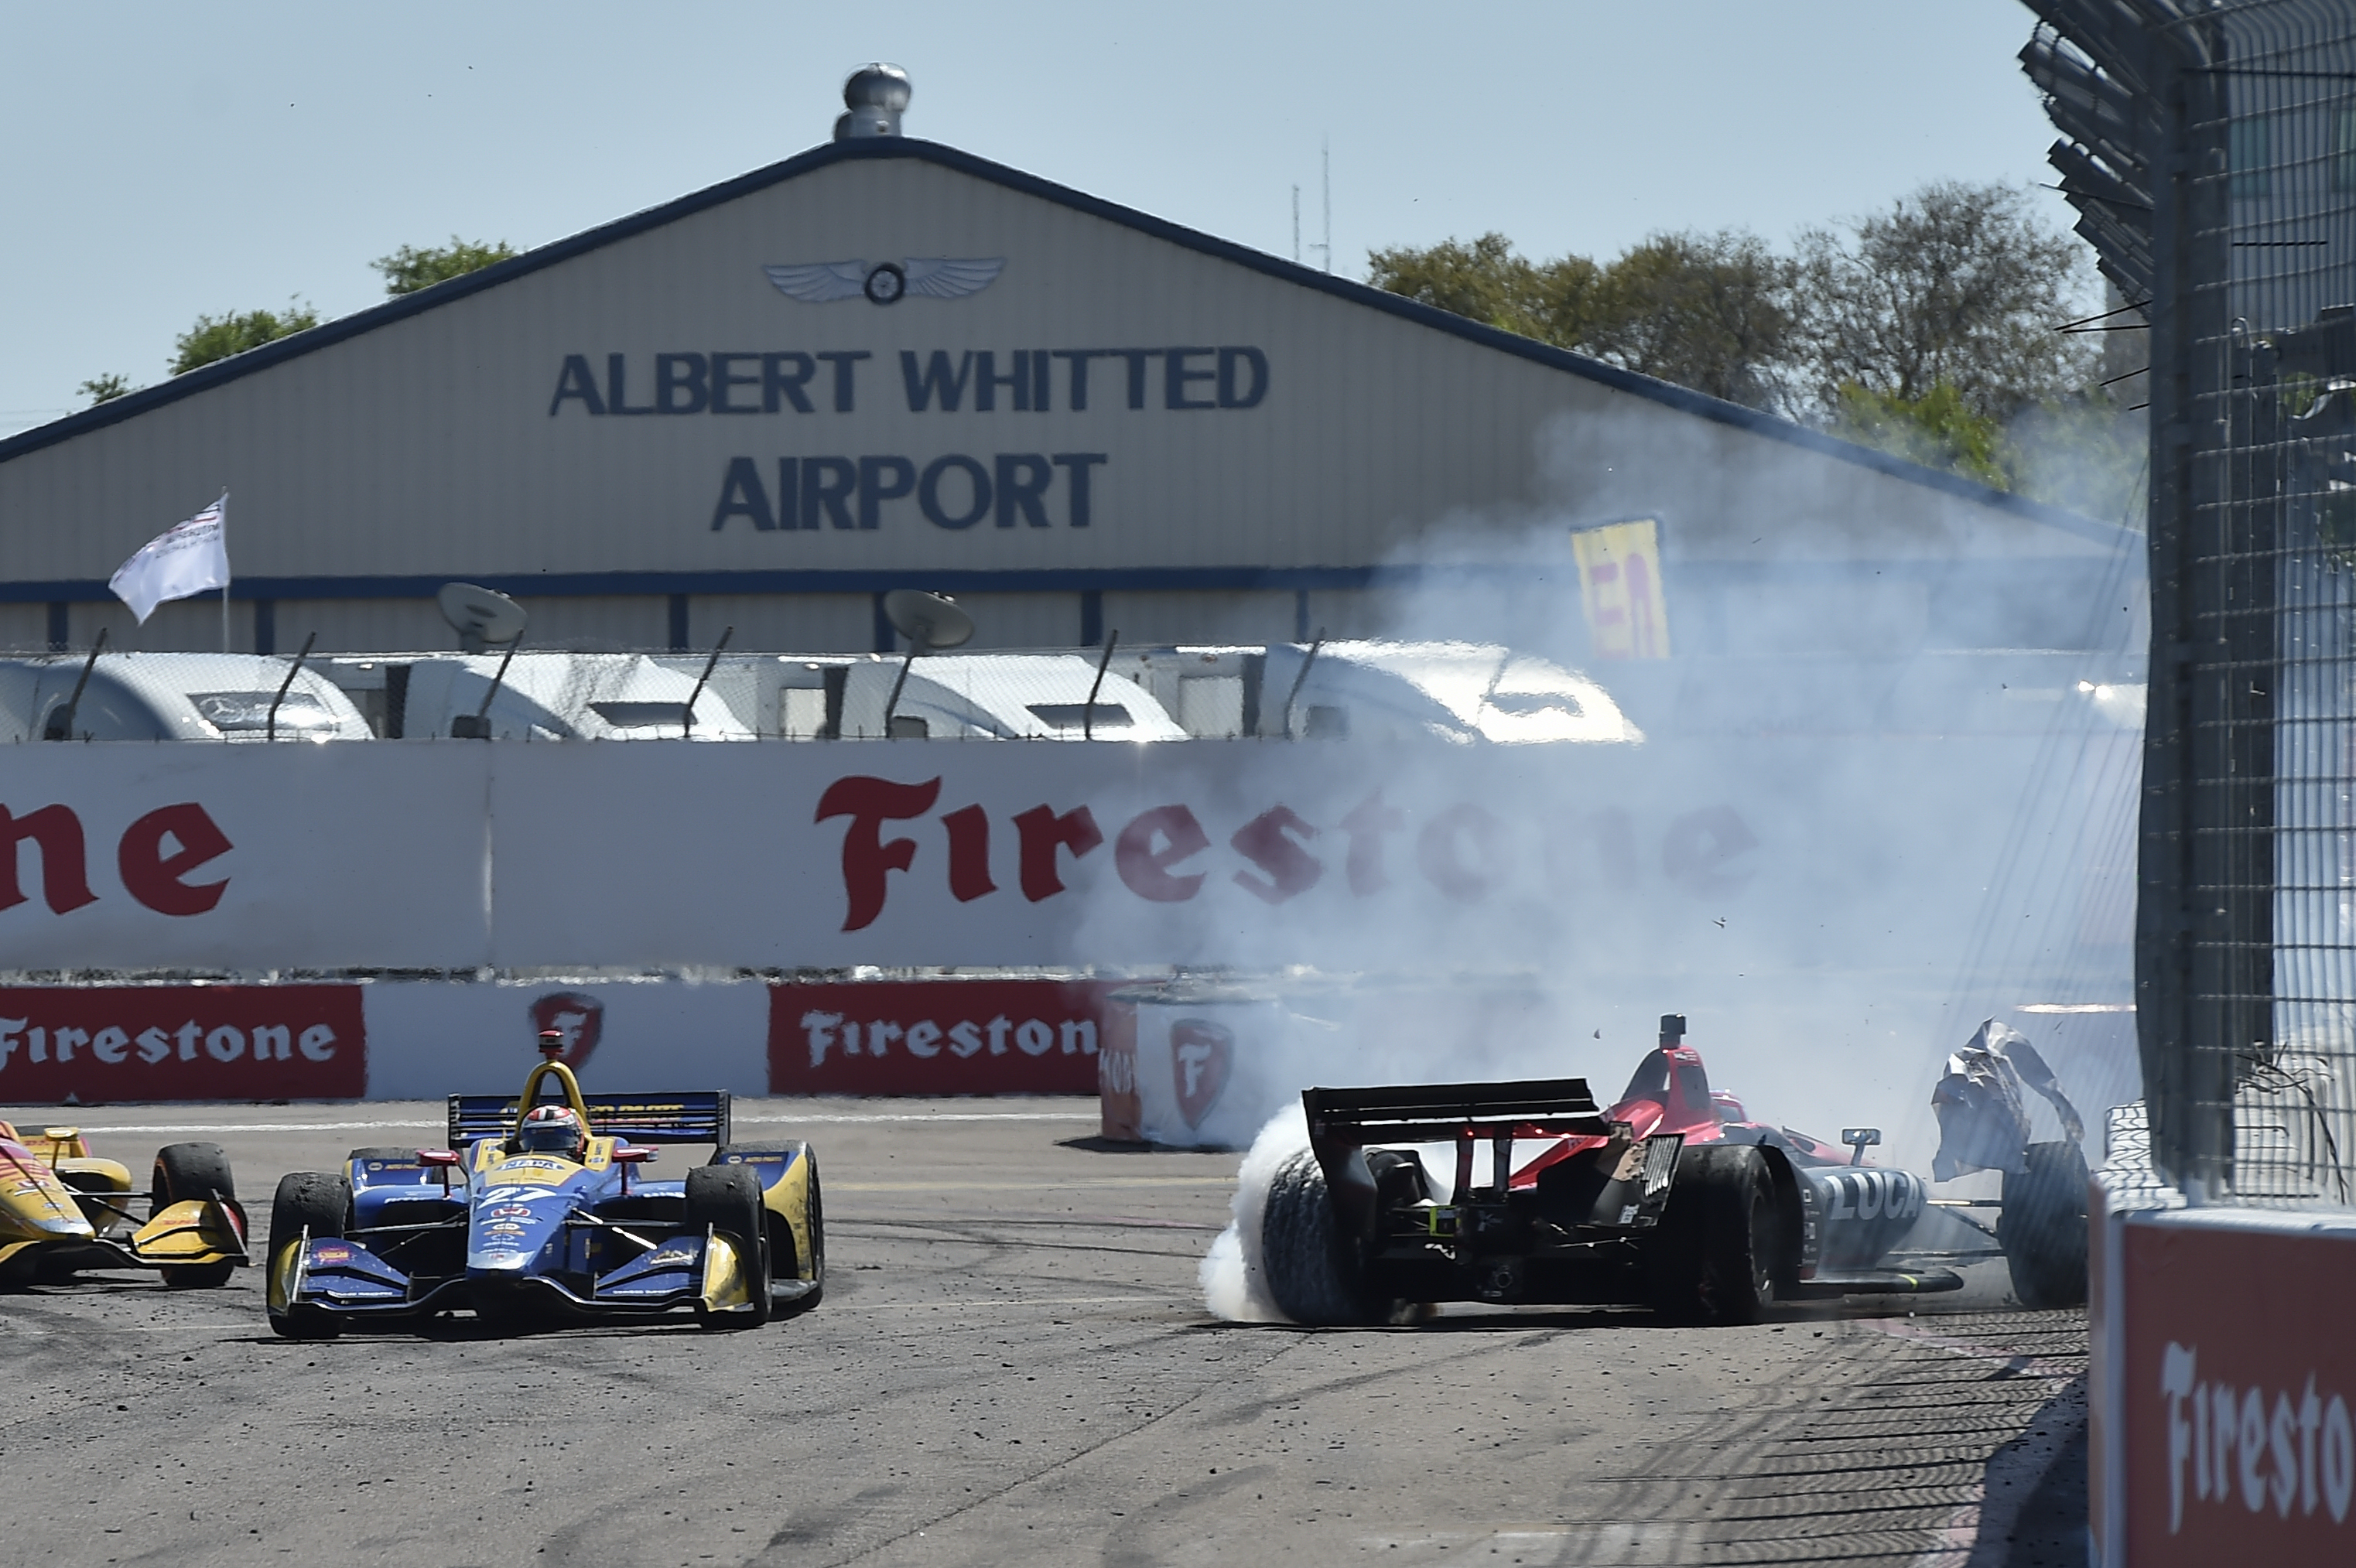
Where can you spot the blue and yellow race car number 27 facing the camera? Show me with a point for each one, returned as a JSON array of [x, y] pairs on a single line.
[[534, 1216]]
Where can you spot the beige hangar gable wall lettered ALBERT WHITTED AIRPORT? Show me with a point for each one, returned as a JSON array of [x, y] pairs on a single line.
[[1182, 439]]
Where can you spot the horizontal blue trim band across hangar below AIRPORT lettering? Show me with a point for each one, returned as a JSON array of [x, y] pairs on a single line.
[[1035, 580]]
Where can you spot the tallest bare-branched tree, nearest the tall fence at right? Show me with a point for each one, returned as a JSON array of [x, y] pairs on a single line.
[[1957, 286]]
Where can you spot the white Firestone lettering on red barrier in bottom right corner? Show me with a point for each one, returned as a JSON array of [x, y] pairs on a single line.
[[2256, 1447]]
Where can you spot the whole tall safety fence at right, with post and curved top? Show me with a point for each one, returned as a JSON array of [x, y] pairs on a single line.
[[2211, 152]]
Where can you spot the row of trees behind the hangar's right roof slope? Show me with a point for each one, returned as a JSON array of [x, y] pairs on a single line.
[[1926, 331]]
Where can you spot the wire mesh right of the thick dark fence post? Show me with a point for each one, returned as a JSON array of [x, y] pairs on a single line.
[[2275, 653]]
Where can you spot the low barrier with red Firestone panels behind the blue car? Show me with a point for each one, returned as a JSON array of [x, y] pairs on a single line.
[[432, 1039]]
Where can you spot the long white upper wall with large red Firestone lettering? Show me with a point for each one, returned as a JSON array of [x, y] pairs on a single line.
[[663, 858]]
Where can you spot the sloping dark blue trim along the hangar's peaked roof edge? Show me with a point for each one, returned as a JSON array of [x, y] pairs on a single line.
[[1031, 185]]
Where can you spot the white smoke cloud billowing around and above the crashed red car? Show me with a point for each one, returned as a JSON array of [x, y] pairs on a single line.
[[1940, 799]]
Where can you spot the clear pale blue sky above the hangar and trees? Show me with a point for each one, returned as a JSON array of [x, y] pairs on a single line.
[[166, 161]]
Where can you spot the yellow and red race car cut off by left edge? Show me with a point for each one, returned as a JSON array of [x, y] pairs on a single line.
[[65, 1211]]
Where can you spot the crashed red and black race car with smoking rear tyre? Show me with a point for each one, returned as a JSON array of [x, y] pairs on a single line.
[[1672, 1197]]
